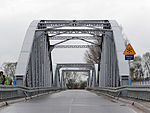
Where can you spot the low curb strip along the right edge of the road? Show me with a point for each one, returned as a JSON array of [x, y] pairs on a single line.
[[136, 104]]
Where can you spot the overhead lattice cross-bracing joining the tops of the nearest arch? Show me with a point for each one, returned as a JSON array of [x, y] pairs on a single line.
[[54, 29]]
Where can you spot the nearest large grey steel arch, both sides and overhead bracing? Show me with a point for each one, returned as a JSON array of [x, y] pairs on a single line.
[[34, 67]]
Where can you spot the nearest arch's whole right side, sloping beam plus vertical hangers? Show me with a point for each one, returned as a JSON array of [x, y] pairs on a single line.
[[114, 70]]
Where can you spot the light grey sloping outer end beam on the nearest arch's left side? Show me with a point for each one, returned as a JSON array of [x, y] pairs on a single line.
[[24, 57]]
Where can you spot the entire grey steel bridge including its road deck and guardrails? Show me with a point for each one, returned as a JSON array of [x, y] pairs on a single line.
[[35, 75]]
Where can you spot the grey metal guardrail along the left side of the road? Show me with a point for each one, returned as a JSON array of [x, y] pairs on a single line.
[[7, 92]]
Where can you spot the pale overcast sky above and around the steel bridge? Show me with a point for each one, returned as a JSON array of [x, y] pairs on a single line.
[[16, 15]]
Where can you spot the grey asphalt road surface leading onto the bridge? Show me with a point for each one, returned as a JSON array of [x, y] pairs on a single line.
[[69, 101]]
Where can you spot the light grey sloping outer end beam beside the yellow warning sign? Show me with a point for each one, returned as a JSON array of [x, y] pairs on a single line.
[[122, 64]]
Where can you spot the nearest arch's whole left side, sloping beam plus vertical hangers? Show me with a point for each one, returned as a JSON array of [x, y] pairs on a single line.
[[34, 64]]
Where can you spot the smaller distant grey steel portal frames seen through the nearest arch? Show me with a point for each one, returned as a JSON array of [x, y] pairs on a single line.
[[82, 67]]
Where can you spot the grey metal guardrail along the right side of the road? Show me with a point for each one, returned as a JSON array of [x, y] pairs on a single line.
[[138, 92]]
